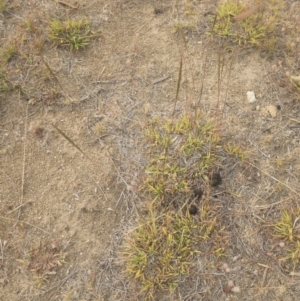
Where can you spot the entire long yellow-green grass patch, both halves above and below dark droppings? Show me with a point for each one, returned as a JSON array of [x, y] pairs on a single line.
[[160, 251]]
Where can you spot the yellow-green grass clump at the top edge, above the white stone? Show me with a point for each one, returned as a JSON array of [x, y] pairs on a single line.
[[257, 29]]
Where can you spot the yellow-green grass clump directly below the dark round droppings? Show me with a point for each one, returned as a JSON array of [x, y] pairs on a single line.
[[162, 250]]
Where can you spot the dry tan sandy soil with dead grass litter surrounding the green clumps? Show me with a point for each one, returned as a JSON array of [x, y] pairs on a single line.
[[64, 214]]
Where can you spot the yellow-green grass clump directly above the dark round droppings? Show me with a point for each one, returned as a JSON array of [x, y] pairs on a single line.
[[180, 152]]
